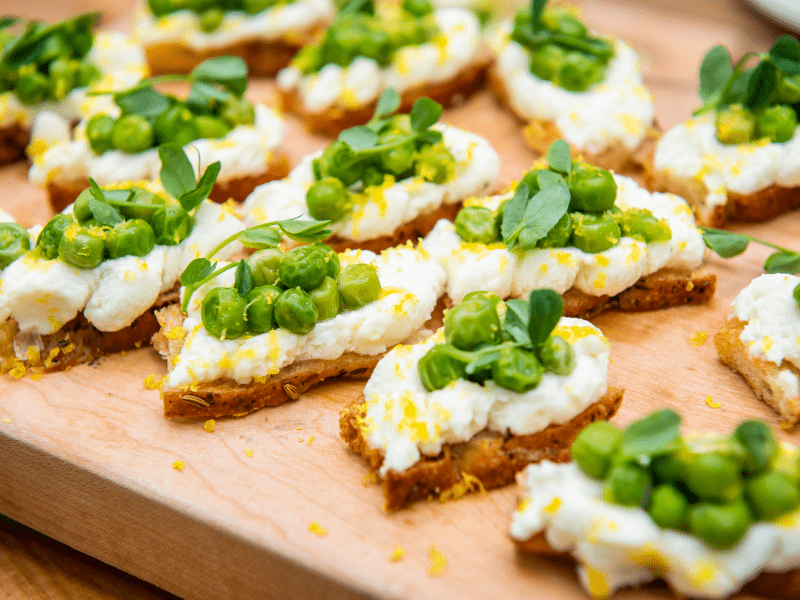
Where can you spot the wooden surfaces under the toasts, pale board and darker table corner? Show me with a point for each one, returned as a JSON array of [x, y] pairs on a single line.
[[86, 457]]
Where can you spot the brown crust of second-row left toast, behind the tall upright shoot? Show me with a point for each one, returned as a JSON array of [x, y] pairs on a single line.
[[62, 194]]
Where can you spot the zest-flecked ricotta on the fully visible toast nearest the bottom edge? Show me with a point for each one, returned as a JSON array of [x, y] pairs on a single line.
[[405, 421]]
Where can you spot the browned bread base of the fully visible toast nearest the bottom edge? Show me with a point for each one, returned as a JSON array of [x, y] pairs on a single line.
[[488, 458]]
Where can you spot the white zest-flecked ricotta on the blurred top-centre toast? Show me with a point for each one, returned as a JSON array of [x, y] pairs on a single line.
[[361, 82]]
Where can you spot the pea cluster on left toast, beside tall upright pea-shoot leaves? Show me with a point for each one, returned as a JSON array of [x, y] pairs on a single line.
[[80, 240]]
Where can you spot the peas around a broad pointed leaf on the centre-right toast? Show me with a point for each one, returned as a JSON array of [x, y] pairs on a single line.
[[592, 224]]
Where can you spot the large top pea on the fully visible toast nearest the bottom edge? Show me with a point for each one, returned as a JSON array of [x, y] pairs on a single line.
[[472, 323]]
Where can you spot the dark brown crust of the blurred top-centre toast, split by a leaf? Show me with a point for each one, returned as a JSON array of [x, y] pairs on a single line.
[[337, 118]]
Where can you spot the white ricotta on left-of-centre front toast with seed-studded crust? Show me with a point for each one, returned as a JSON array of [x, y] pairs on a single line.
[[411, 284]]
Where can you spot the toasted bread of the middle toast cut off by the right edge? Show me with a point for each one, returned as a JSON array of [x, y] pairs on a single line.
[[760, 374]]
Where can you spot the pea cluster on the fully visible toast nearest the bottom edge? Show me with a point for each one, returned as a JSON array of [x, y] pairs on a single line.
[[474, 325]]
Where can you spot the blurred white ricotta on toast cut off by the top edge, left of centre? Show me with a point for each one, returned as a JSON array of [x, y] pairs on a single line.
[[183, 26]]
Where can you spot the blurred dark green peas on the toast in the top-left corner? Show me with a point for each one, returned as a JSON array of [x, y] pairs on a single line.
[[59, 68]]
